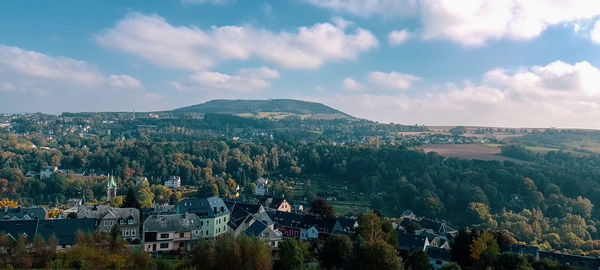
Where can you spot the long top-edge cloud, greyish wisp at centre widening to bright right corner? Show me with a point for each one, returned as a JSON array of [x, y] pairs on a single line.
[[475, 22]]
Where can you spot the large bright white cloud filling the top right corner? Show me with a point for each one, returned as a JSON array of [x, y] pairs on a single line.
[[473, 23]]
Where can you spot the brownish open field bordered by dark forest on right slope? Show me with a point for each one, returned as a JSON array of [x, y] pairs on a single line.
[[468, 151]]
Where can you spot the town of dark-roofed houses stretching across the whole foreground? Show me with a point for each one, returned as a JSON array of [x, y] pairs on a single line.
[[174, 229]]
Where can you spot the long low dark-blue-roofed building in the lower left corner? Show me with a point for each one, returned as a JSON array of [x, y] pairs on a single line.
[[65, 230]]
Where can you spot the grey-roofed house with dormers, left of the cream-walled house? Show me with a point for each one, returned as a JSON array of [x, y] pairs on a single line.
[[128, 219]]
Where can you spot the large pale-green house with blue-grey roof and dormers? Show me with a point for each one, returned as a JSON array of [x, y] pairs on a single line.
[[212, 212]]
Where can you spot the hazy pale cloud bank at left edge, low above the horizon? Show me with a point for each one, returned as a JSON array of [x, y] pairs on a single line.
[[33, 81]]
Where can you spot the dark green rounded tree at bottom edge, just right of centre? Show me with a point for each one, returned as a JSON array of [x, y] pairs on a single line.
[[336, 252]]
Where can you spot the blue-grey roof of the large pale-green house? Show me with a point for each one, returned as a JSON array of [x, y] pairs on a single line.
[[210, 207]]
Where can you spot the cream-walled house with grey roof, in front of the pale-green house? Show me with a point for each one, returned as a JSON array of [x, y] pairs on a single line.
[[175, 232]]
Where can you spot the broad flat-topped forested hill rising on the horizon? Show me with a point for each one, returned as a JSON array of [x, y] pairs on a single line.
[[265, 108]]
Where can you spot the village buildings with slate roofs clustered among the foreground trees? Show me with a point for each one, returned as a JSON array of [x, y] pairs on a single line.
[[171, 230]]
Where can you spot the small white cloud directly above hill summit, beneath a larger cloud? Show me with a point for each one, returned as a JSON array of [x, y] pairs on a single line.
[[246, 80]]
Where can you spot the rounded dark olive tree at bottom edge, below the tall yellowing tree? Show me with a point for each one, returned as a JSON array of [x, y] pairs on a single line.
[[376, 255]]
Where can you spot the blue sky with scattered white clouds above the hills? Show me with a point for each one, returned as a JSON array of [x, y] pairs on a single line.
[[508, 63]]
